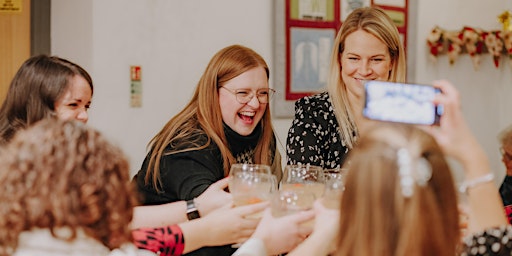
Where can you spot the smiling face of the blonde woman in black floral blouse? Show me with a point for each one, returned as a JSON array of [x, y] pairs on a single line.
[[365, 57]]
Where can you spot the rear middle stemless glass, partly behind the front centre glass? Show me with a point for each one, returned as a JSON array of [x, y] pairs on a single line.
[[303, 177]]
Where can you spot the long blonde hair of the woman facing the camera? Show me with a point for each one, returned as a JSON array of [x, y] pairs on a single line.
[[376, 22]]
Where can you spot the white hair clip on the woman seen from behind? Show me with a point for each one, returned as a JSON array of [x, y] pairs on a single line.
[[420, 174]]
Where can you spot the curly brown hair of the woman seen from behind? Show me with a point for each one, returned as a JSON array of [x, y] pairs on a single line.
[[64, 174]]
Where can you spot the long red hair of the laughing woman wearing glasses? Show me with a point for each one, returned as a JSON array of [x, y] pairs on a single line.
[[202, 115]]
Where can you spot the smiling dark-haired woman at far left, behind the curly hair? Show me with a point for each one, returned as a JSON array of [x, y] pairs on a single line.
[[45, 86]]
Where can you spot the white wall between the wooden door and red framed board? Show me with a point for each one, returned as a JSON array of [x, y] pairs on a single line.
[[172, 41]]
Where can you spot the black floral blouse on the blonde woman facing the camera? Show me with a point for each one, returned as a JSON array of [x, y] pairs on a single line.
[[314, 136]]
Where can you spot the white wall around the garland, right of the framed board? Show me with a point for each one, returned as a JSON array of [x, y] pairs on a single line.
[[485, 92]]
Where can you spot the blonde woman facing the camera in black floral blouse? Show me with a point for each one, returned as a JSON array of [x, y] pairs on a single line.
[[326, 126]]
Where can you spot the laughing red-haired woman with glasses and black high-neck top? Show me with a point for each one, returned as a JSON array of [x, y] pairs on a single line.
[[227, 121]]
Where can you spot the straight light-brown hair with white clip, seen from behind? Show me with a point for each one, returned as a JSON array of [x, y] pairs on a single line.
[[377, 219]]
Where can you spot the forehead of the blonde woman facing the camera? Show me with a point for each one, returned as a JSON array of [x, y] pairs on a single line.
[[361, 42]]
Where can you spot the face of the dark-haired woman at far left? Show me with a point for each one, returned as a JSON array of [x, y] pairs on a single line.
[[75, 102]]
